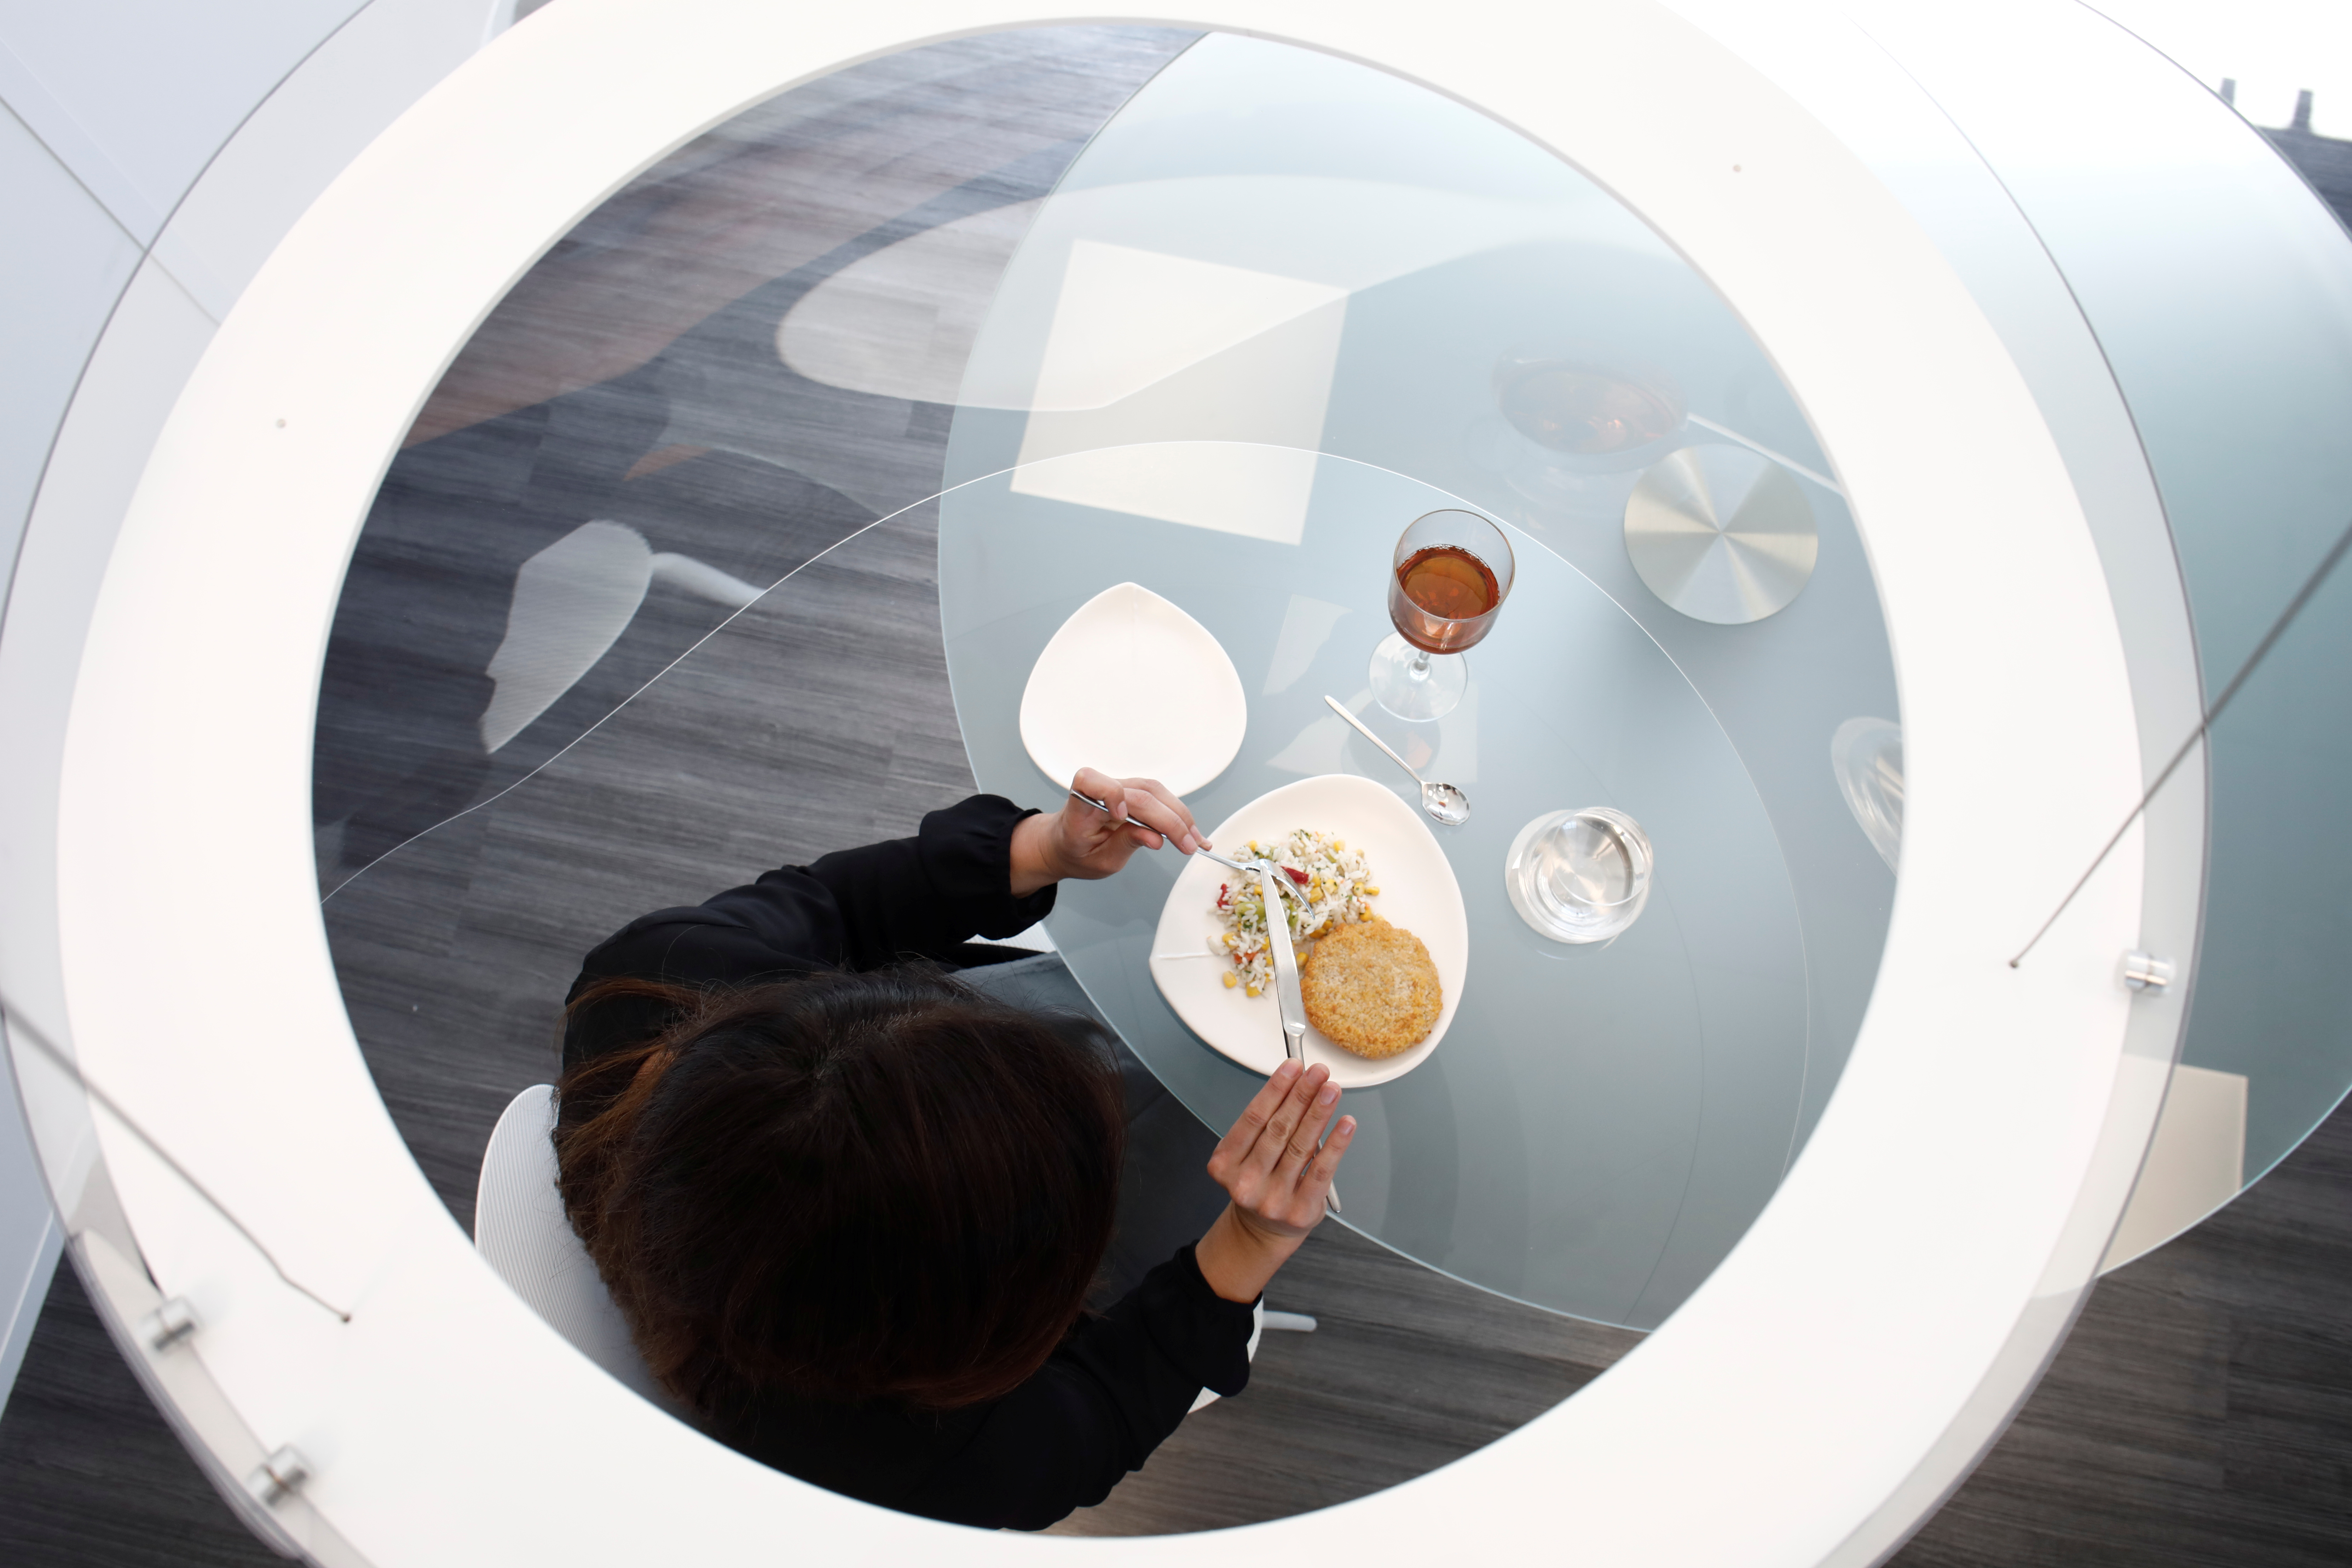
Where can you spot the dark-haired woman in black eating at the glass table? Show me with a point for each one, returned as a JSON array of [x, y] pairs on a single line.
[[853, 1207]]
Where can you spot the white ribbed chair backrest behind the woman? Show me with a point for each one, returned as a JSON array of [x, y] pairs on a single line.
[[526, 1238]]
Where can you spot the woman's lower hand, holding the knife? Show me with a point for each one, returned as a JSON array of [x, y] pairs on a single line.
[[1276, 1177]]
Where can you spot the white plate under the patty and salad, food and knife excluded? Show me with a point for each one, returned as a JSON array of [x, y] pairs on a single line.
[[1417, 892]]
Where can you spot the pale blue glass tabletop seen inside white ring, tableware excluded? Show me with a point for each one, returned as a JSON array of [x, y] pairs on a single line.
[[1278, 309]]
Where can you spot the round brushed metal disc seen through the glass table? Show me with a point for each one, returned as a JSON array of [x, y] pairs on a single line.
[[1720, 535]]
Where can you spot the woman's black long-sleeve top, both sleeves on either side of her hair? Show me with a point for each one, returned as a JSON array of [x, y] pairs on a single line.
[[1121, 1383]]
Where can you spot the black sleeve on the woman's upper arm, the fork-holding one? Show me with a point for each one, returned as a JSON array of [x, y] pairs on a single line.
[[857, 909]]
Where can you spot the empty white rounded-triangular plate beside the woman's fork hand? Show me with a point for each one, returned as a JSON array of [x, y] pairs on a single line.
[[1140, 690]]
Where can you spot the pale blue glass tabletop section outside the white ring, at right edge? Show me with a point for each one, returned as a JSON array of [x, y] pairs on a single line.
[[2221, 295]]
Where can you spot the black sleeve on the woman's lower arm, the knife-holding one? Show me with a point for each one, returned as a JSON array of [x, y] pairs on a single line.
[[1100, 1407]]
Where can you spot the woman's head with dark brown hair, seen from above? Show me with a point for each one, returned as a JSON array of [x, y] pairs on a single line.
[[843, 1186]]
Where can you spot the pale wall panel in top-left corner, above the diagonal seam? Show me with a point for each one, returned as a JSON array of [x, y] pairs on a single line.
[[138, 95]]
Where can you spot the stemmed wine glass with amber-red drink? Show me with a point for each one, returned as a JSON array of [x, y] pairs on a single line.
[[1445, 589]]
